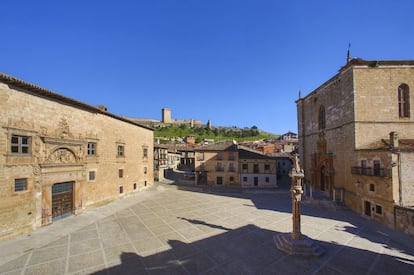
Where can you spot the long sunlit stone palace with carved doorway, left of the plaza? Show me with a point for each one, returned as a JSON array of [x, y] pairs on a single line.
[[59, 155]]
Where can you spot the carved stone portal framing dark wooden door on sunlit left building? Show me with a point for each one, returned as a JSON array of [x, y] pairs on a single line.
[[60, 162]]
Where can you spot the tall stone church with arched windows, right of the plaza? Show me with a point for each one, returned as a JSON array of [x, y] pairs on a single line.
[[356, 139]]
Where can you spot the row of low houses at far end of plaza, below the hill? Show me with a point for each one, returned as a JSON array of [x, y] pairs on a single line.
[[222, 163]]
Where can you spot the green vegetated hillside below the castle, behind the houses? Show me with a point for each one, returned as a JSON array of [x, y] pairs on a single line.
[[172, 132]]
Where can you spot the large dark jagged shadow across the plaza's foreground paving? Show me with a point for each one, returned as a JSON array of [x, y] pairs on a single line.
[[251, 250]]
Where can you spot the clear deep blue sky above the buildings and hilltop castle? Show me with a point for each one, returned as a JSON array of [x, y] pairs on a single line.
[[238, 63]]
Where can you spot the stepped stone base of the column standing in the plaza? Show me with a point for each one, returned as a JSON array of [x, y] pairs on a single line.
[[303, 247]]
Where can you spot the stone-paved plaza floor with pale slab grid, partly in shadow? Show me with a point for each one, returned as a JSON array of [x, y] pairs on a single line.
[[170, 231]]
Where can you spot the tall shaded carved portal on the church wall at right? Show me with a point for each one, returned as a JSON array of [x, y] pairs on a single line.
[[322, 167]]
